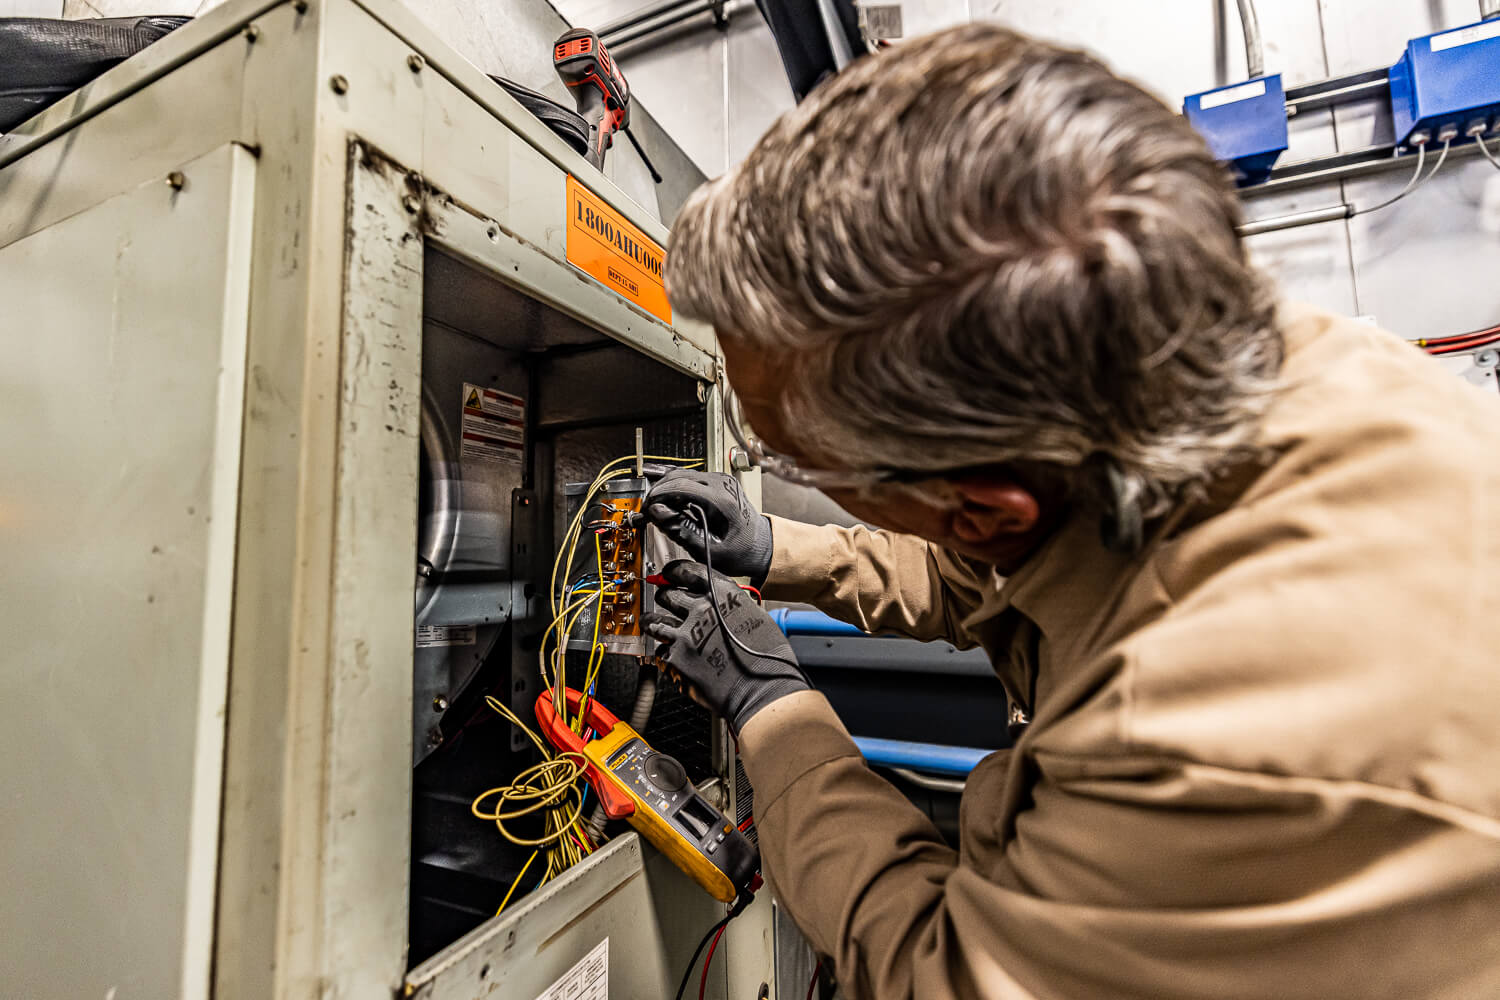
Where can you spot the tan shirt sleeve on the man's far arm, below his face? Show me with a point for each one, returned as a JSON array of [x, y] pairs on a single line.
[[880, 581]]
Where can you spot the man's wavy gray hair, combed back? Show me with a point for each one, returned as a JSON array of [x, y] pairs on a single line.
[[979, 248]]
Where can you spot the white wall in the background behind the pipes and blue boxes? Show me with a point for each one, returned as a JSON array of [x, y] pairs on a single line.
[[1421, 268]]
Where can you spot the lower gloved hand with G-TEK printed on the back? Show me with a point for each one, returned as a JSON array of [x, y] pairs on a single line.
[[734, 681]]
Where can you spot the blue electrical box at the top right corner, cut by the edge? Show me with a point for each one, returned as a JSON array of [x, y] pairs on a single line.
[[1448, 80]]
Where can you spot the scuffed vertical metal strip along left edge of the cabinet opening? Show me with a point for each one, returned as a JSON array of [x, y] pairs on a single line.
[[368, 758]]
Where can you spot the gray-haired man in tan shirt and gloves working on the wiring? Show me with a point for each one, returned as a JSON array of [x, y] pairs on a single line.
[[1237, 563]]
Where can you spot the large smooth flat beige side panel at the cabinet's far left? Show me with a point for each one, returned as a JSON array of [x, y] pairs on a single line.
[[122, 409]]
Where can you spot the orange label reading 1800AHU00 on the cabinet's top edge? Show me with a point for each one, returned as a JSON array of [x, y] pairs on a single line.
[[614, 253]]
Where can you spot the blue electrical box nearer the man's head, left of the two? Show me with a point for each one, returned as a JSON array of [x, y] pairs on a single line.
[[1246, 125]]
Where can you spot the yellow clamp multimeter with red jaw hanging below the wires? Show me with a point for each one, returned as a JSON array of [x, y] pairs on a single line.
[[652, 791]]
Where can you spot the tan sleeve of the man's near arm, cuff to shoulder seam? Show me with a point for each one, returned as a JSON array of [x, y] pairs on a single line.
[[1135, 878]]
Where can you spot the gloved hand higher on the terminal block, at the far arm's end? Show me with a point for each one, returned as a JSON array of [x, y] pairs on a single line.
[[740, 536]]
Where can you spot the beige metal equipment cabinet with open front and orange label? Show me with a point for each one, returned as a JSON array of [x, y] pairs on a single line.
[[220, 269]]
